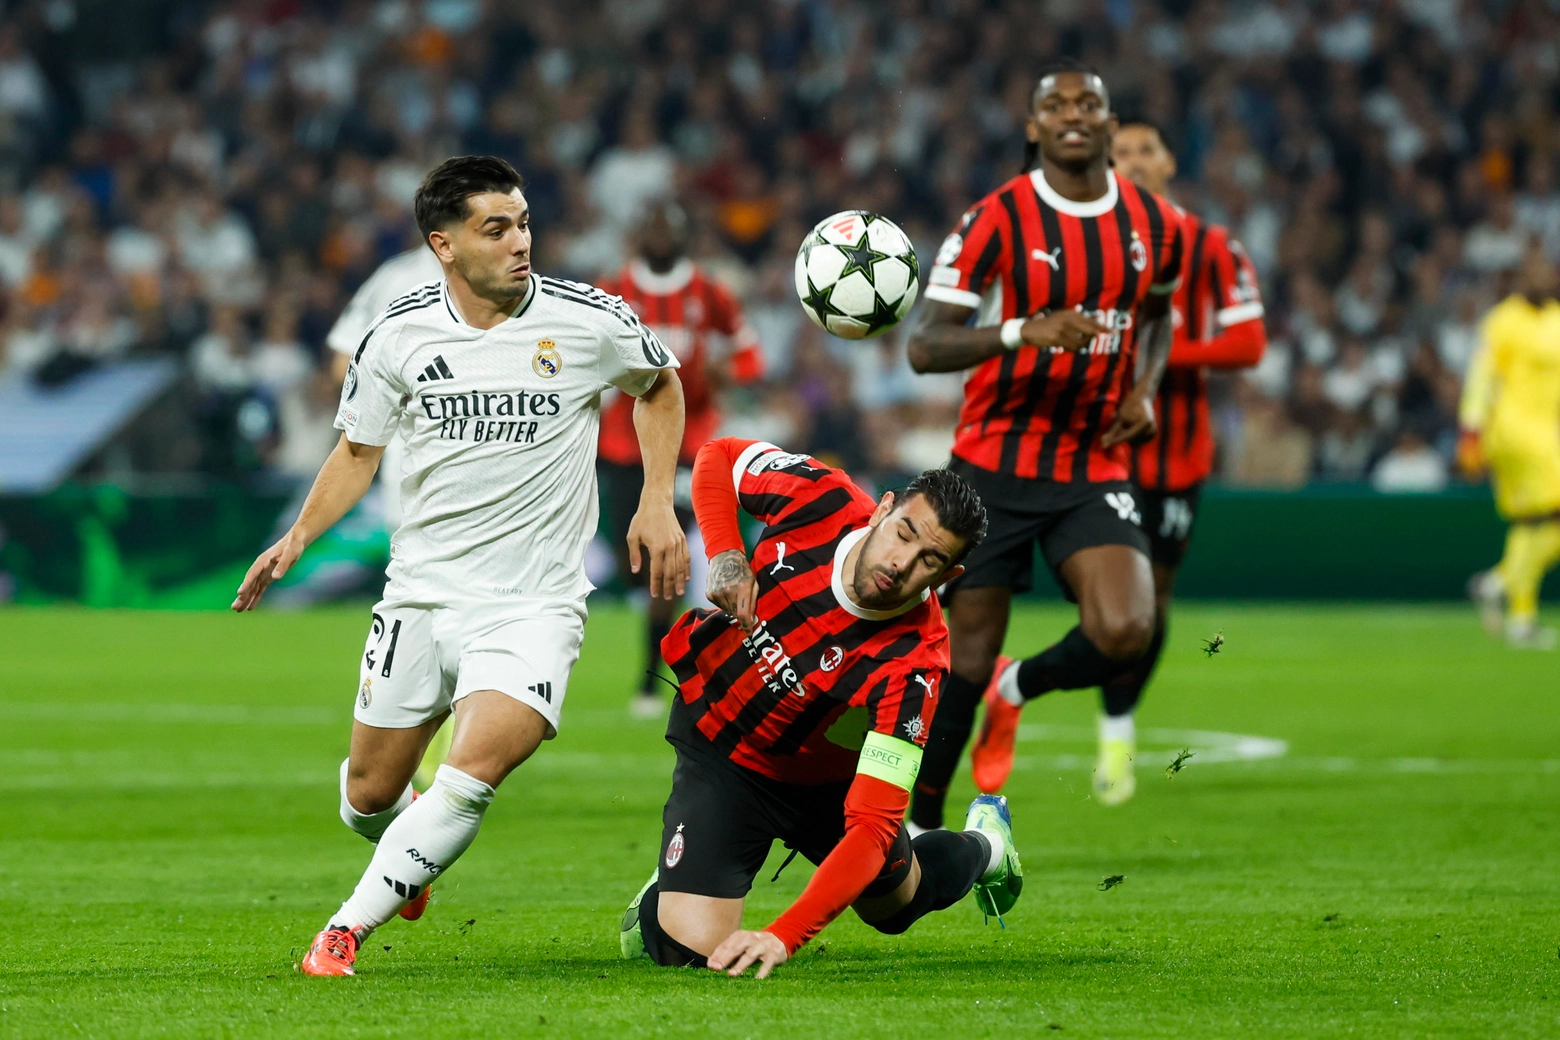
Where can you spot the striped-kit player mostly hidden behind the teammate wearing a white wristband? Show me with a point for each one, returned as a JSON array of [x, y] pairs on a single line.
[[1218, 317]]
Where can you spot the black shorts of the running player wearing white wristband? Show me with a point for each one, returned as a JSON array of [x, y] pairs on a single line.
[[1063, 518]]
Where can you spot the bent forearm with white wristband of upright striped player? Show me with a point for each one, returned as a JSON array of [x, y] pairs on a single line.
[[946, 344]]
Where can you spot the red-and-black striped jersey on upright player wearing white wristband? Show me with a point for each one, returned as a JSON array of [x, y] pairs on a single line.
[[1024, 250]]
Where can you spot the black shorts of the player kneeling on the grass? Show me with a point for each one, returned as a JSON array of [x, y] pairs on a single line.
[[721, 821]]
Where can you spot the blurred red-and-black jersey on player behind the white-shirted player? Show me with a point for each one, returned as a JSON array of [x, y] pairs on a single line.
[[701, 322]]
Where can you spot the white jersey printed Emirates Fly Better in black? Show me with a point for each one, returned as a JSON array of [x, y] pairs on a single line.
[[498, 487]]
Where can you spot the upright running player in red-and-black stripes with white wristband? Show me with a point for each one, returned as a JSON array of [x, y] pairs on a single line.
[[1068, 274]]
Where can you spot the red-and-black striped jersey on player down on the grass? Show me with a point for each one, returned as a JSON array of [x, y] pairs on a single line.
[[796, 698]]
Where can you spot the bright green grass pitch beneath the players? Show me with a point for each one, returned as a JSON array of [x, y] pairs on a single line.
[[171, 844]]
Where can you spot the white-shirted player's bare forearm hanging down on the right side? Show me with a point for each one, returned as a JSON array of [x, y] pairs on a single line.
[[654, 531]]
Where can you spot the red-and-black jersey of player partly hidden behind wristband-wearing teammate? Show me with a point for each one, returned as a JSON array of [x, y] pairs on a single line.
[[1218, 295]]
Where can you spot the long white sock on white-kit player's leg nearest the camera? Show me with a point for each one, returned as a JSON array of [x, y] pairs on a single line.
[[417, 847]]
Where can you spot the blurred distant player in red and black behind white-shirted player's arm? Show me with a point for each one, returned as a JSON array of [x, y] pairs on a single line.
[[701, 322]]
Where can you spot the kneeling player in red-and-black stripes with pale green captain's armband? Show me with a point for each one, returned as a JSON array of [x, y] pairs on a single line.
[[804, 706]]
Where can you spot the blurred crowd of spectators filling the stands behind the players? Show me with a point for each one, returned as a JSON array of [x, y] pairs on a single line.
[[214, 180]]
